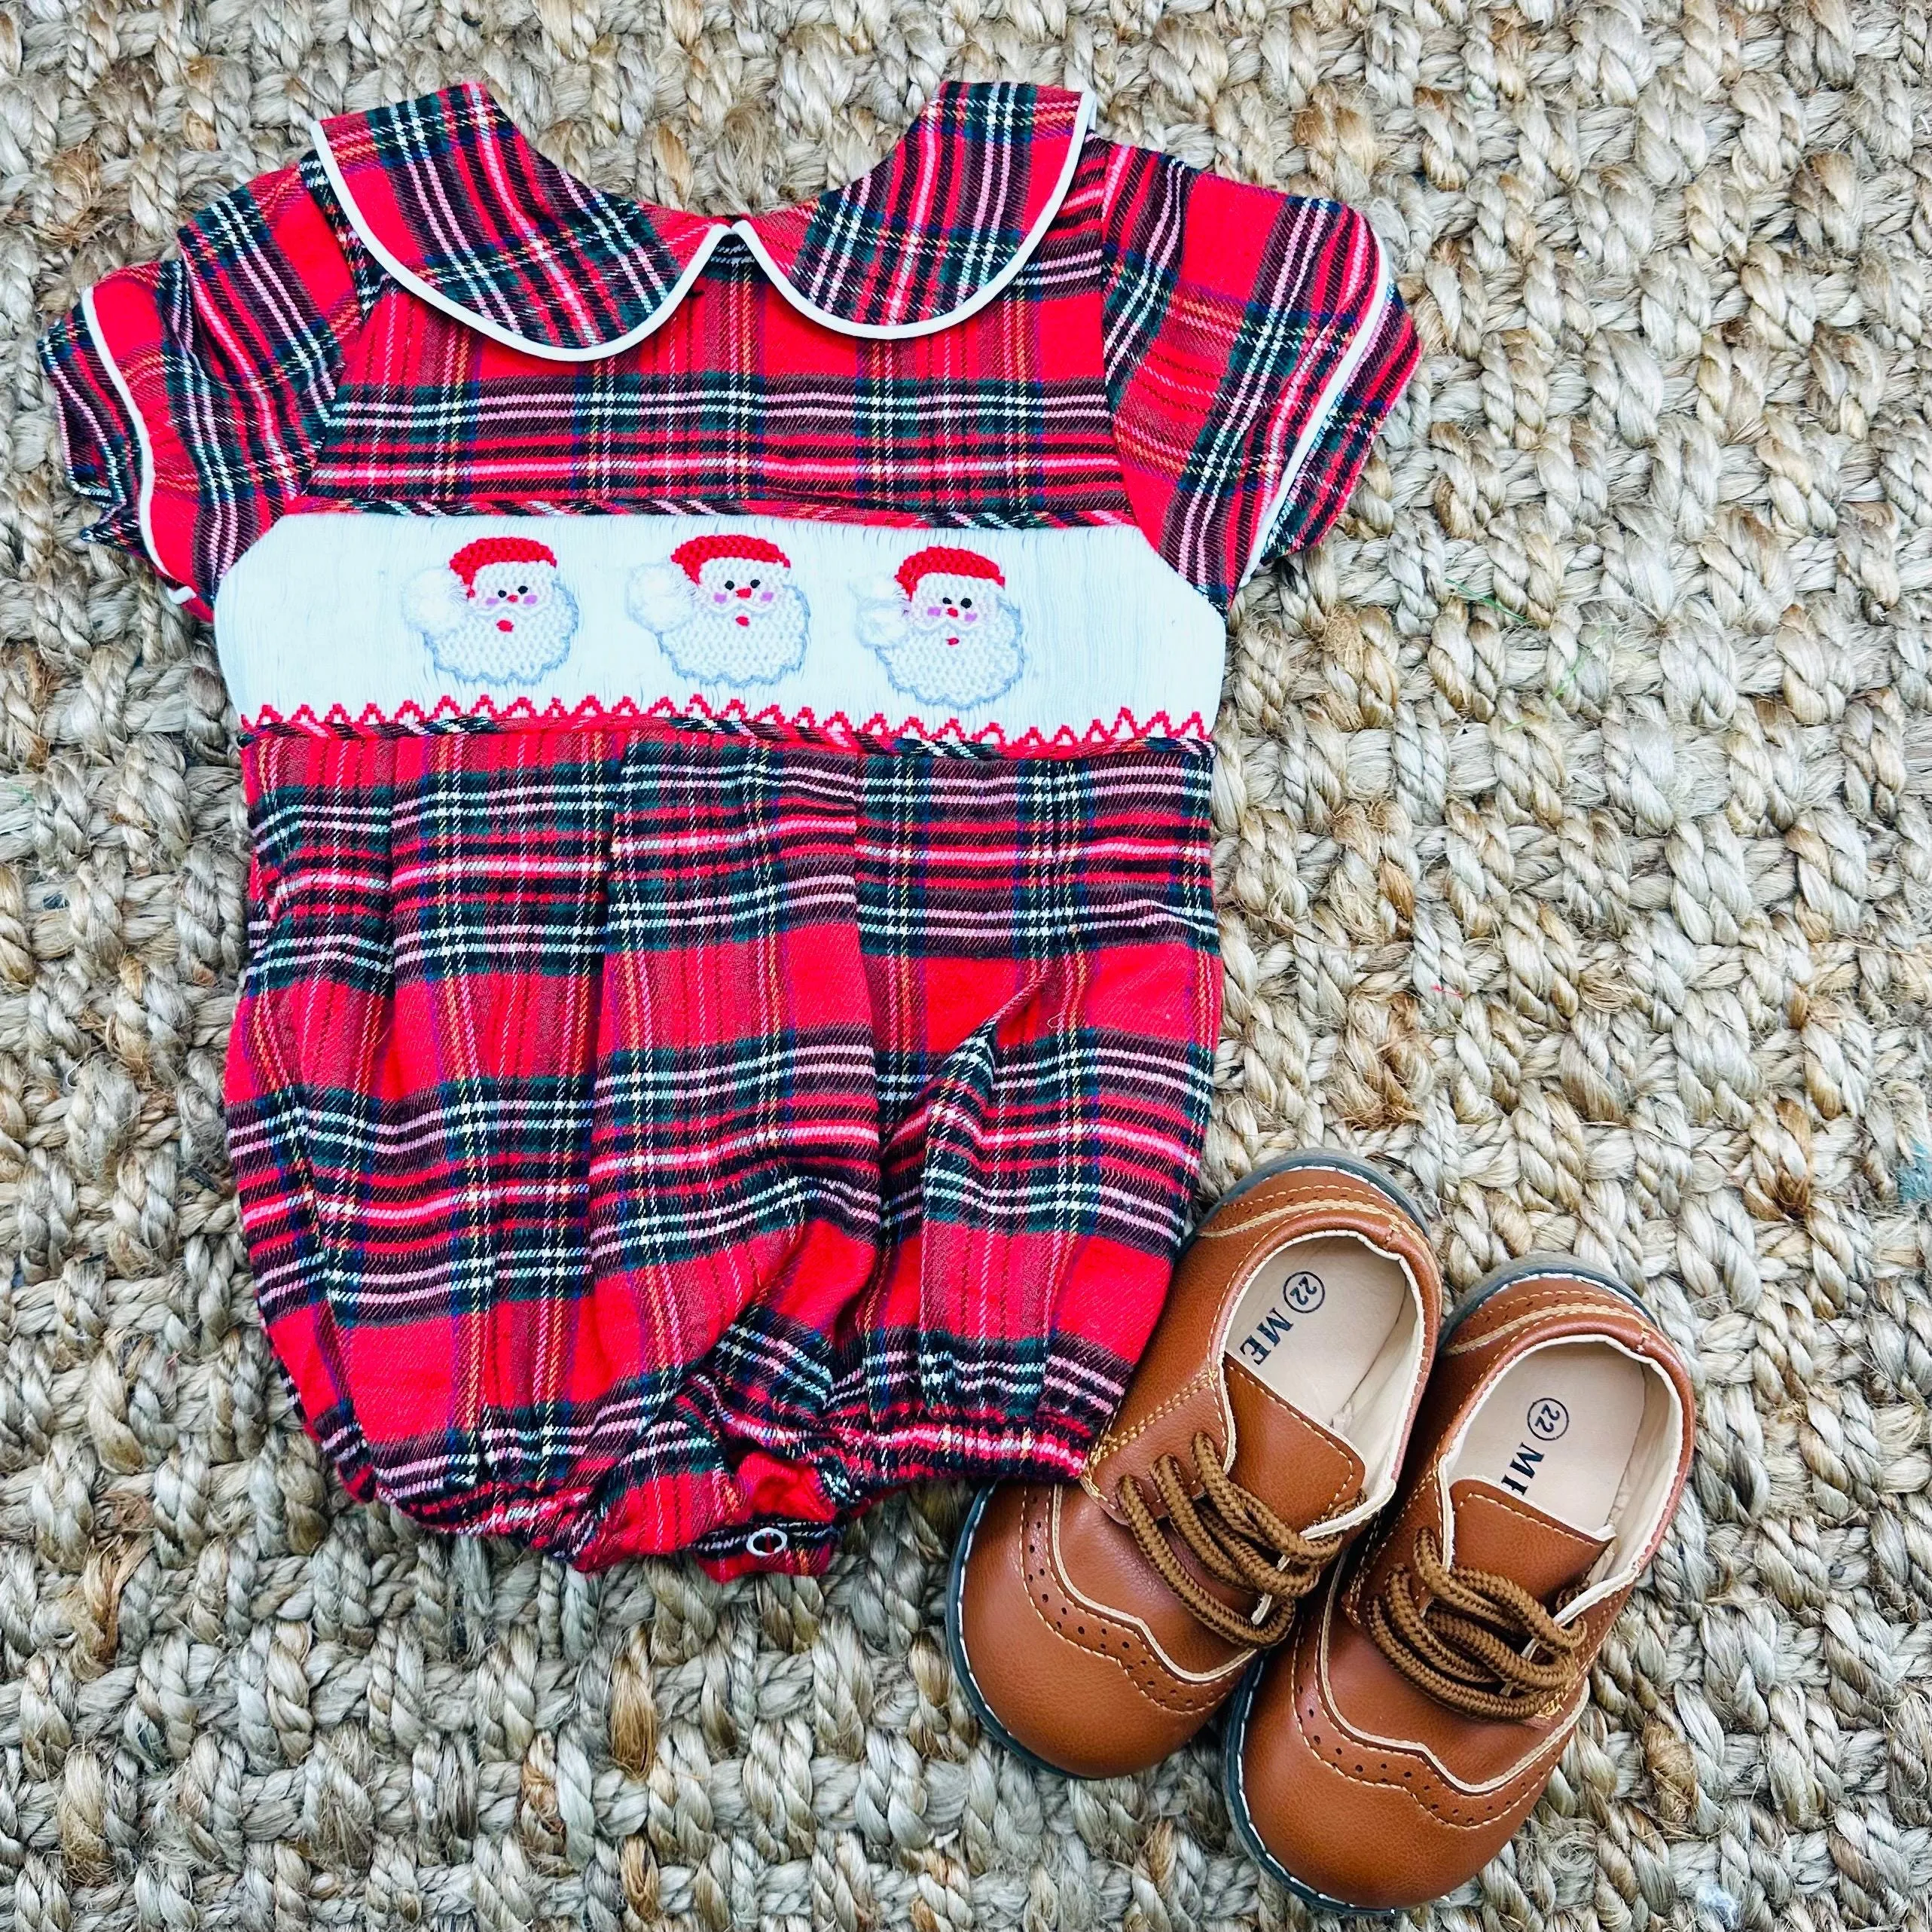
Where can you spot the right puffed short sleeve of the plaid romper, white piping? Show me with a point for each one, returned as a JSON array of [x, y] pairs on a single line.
[[1255, 345]]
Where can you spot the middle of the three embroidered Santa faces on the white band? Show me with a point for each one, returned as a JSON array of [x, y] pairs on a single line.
[[724, 610]]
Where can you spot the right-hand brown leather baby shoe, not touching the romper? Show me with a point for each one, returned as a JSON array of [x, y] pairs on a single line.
[[1392, 1747]]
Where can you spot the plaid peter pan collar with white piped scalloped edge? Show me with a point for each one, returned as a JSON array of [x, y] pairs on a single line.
[[463, 212]]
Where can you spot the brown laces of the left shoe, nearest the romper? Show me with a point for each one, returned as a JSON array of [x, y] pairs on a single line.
[[1234, 1537]]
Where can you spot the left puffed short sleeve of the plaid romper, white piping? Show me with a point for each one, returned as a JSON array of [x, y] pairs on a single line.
[[194, 393]]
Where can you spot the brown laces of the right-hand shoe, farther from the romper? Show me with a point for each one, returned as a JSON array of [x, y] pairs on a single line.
[[1471, 1639]]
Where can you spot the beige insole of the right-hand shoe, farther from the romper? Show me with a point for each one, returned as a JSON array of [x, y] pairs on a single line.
[[1560, 1431]]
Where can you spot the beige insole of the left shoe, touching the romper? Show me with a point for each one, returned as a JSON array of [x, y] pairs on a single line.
[[1315, 1322]]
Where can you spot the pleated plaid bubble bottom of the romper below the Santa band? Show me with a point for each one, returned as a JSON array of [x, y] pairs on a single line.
[[610, 1106]]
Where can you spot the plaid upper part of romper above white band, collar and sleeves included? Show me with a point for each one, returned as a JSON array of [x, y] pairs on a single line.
[[1203, 358]]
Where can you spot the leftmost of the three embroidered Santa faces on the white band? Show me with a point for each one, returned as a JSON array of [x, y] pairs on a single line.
[[497, 613]]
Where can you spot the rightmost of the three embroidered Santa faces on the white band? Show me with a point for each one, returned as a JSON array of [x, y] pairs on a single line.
[[944, 627]]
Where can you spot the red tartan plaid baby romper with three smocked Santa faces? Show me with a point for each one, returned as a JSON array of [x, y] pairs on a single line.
[[725, 708]]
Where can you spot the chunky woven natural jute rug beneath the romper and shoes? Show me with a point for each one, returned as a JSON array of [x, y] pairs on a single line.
[[1576, 861]]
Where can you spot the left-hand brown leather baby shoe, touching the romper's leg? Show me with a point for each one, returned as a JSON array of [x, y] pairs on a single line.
[[1098, 1628]]
